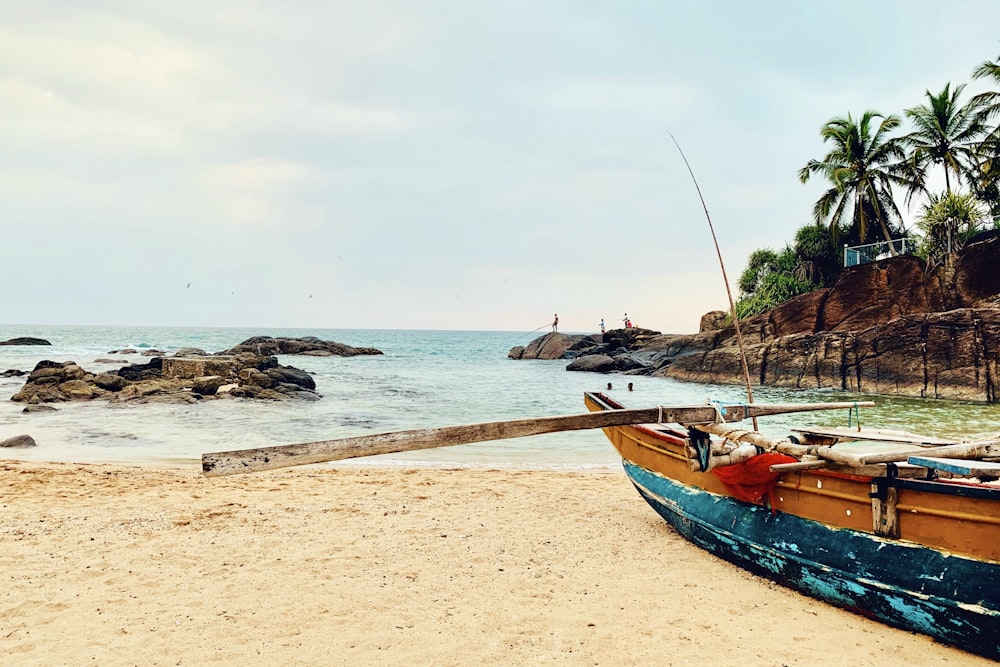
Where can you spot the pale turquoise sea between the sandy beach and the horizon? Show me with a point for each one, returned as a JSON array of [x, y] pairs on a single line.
[[424, 379]]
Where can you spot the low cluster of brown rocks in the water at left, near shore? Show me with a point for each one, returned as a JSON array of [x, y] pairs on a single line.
[[169, 379]]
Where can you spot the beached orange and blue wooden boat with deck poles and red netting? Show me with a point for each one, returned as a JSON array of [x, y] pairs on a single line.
[[903, 541]]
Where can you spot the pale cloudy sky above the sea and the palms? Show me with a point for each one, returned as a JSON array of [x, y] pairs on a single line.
[[429, 165]]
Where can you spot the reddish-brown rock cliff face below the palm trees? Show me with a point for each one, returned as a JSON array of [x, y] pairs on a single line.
[[884, 328]]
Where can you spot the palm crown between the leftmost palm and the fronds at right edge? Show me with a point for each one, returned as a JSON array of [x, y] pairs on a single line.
[[946, 134]]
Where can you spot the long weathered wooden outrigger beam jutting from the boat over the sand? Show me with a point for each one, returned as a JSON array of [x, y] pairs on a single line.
[[282, 456]]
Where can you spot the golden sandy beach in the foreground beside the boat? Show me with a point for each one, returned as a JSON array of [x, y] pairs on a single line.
[[116, 565]]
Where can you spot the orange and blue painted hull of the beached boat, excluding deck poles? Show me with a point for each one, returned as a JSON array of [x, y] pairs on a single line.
[[817, 532]]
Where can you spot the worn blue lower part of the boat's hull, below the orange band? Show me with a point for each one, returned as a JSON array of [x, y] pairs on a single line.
[[951, 598]]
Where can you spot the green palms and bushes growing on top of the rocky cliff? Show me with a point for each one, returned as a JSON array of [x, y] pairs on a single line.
[[871, 162]]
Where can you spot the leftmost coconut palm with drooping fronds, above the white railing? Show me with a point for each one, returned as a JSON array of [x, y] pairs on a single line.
[[862, 166]]
